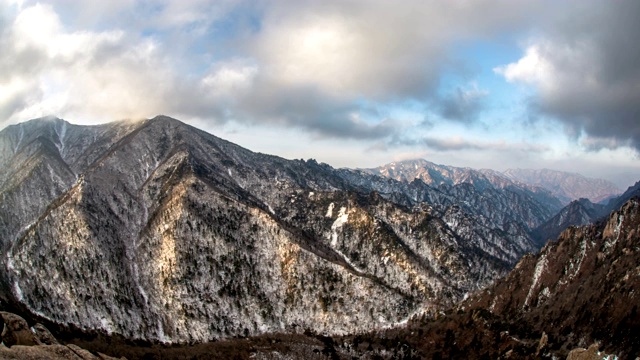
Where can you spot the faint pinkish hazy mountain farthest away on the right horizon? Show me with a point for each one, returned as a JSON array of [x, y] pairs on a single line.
[[566, 186]]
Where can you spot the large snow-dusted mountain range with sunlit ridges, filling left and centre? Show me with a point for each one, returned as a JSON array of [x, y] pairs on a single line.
[[159, 231]]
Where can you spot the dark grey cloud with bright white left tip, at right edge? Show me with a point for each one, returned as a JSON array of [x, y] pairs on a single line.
[[585, 72]]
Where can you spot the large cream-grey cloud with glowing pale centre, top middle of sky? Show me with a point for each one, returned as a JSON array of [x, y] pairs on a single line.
[[375, 49]]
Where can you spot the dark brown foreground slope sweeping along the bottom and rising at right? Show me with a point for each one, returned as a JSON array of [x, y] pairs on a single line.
[[579, 292]]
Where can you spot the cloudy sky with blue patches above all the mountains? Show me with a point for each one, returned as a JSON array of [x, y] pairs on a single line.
[[483, 84]]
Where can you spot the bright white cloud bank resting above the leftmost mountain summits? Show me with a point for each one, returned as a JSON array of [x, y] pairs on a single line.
[[88, 76]]
